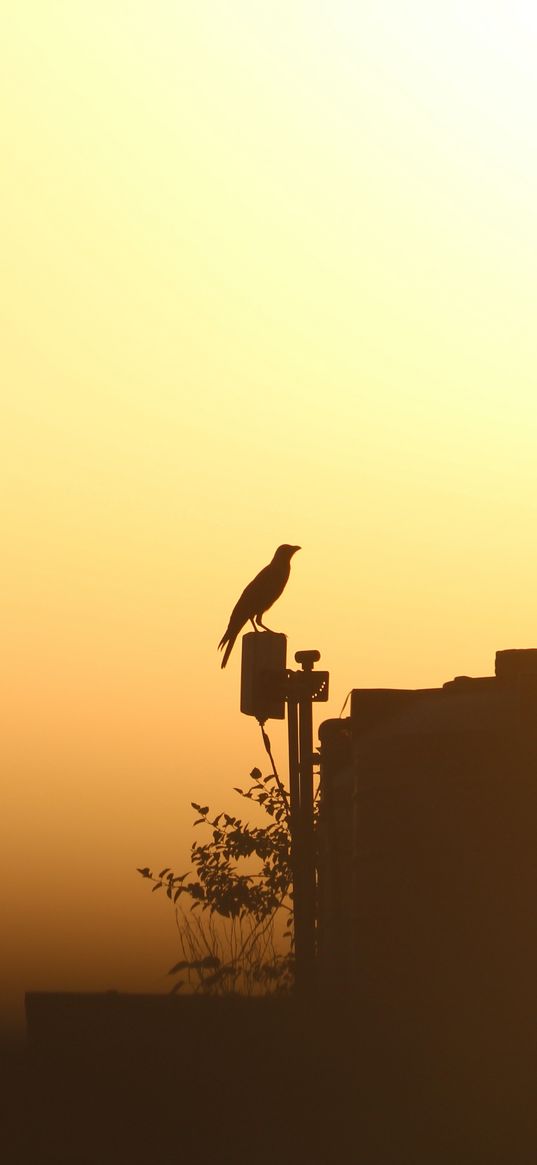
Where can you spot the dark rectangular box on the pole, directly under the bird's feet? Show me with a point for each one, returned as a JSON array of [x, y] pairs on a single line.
[[264, 676]]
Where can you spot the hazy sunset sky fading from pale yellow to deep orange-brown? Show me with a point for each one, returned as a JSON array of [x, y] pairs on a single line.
[[268, 274]]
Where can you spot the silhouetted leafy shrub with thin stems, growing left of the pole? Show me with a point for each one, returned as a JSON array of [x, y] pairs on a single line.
[[224, 885]]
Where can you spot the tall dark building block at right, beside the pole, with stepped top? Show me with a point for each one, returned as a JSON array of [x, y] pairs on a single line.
[[429, 901]]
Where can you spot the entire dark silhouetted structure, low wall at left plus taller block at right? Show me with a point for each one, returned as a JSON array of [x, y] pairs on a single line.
[[421, 1047]]
